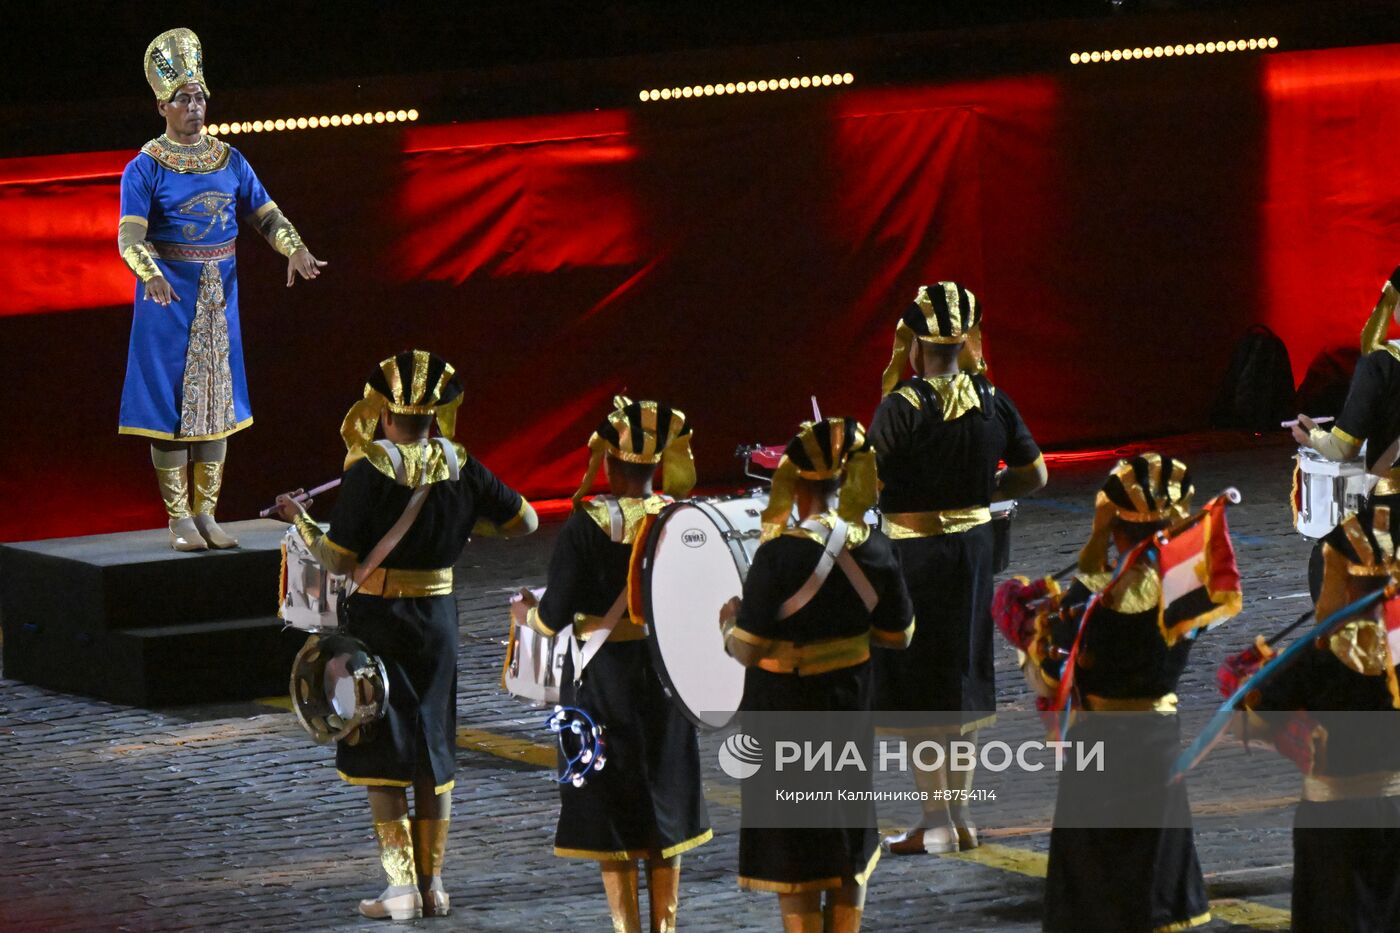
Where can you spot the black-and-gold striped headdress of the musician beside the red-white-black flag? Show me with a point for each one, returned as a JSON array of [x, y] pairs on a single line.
[[1150, 488]]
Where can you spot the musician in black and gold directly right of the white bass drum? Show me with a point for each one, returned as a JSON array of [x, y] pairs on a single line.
[[807, 648]]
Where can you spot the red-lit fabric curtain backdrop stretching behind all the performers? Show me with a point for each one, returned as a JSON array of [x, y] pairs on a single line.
[[1122, 228]]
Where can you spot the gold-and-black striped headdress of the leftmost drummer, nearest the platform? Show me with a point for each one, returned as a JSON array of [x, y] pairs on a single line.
[[412, 383]]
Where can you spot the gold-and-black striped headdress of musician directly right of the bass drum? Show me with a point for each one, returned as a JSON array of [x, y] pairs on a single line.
[[835, 448]]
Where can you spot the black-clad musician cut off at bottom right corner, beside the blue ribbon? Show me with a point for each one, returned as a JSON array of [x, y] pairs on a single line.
[[1335, 715]]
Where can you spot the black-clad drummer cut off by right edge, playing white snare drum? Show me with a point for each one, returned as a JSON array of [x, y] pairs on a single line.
[[1371, 413]]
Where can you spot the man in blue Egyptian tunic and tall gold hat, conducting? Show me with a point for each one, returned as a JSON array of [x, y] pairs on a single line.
[[183, 198]]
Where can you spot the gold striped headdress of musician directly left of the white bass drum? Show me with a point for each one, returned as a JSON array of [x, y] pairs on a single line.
[[643, 434]]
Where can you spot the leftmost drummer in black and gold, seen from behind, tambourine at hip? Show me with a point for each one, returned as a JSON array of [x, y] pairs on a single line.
[[404, 611]]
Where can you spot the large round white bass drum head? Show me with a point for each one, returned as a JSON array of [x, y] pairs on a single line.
[[691, 571]]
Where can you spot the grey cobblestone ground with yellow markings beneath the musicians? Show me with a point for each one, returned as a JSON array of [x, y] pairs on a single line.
[[211, 817]]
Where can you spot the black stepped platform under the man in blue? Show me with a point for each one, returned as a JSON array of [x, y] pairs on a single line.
[[125, 618]]
